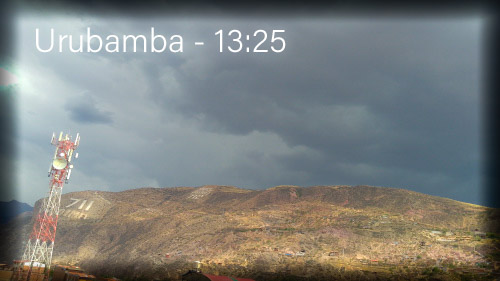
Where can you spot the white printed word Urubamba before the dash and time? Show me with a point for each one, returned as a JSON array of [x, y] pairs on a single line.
[[94, 43]]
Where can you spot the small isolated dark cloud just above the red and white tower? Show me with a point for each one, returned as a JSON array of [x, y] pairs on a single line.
[[85, 110]]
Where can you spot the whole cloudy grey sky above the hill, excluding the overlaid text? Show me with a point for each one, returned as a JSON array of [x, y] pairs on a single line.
[[392, 102]]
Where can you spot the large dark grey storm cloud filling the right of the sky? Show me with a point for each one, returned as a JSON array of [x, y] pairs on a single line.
[[399, 96]]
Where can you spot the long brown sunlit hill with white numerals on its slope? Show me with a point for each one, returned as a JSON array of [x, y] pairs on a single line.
[[162, 231]]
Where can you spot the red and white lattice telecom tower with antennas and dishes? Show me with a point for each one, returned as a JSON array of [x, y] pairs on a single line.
[[38, 251]]
